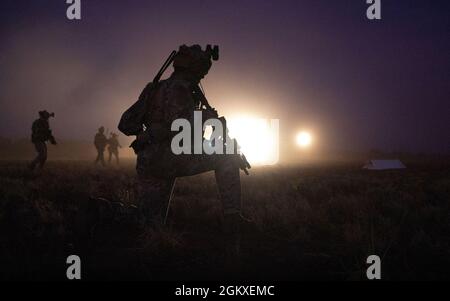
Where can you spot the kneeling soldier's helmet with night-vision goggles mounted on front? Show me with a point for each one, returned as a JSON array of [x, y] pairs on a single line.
[[194, 59]]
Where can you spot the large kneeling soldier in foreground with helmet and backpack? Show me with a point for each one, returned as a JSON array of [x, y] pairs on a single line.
[[150, 119]]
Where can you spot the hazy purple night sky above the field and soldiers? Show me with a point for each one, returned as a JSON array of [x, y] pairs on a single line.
[[319, 64]]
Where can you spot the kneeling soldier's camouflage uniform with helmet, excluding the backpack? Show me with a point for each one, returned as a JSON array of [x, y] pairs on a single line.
[[157, 166]]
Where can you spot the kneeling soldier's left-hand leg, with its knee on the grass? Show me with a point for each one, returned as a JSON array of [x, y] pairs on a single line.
[[153, 196]]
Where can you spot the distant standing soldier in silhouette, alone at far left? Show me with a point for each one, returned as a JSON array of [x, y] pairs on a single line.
[[40, 134]]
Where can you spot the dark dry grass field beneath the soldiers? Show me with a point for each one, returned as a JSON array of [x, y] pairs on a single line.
[[317, 221]]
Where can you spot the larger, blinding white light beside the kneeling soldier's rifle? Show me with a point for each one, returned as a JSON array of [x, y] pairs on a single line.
[[257, 137]]
